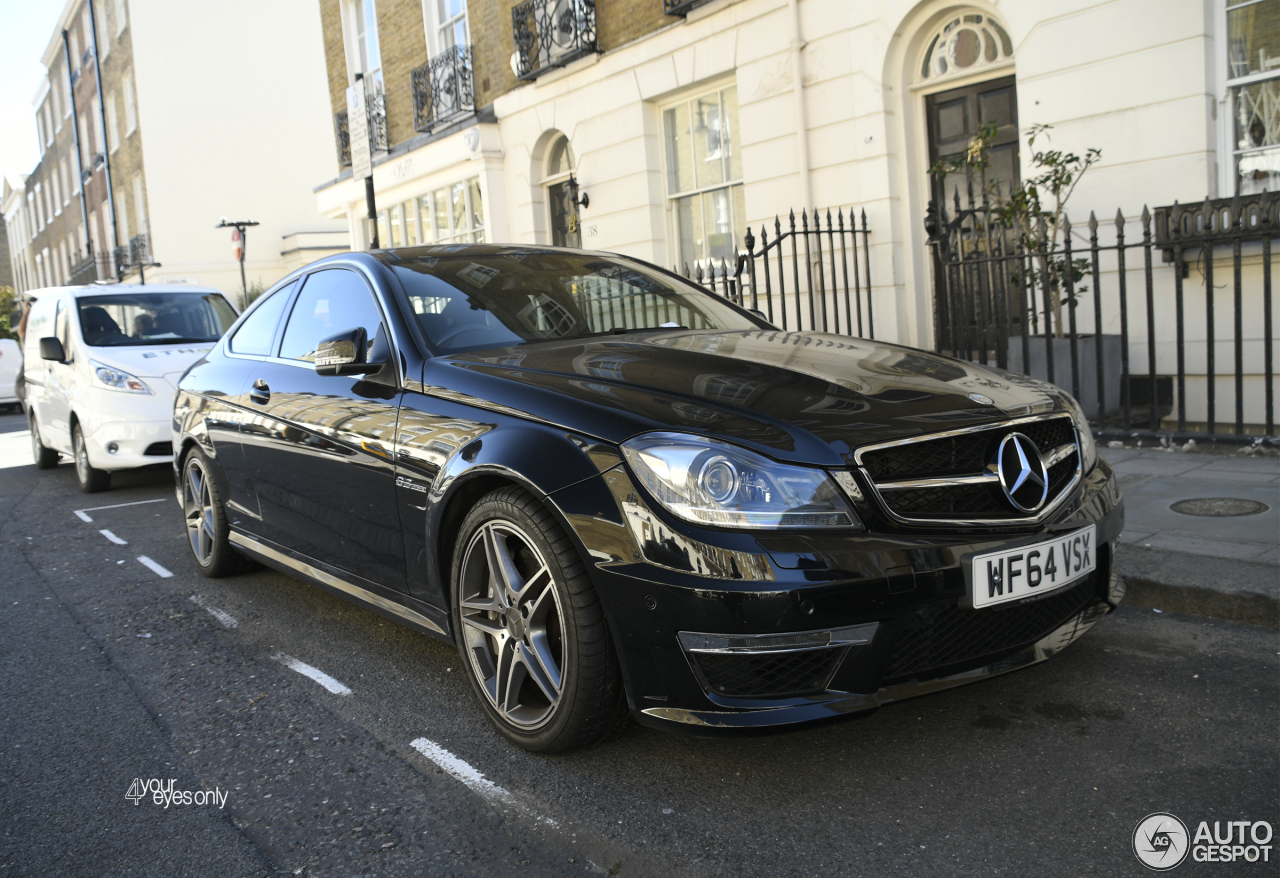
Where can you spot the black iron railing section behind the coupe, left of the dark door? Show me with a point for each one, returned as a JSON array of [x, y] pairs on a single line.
[[824, 285]]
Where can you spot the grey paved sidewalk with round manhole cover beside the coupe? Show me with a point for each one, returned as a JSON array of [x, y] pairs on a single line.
[[1208, 565]]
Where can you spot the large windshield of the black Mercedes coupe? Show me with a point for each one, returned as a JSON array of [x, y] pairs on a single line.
[[472, 301]]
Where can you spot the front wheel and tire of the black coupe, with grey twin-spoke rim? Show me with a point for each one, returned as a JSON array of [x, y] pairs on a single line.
[[537, 648]]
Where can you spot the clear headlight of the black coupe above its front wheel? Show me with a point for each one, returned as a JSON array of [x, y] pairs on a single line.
[[708, 482]]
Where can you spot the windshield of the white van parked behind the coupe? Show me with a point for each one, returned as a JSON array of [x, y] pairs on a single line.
[[132, 319]]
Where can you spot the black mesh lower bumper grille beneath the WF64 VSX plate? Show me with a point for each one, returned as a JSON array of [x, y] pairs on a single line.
[[958, 635]]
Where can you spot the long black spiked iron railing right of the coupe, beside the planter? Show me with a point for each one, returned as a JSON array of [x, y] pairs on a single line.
[[999, 299]]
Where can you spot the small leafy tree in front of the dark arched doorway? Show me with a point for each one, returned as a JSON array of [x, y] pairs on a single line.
[[1036, 209]]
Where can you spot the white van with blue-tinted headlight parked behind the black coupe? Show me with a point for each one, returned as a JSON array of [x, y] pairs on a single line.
[[103, 364]]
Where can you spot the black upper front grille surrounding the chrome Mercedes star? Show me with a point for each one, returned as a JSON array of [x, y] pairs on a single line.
[[967, 455]]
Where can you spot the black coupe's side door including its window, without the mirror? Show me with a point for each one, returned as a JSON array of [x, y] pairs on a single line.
[[323, 467]]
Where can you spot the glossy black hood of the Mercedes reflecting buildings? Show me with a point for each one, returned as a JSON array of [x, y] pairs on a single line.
[[806, 397]]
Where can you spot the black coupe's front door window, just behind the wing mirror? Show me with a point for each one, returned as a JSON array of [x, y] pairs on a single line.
[[332, 301]]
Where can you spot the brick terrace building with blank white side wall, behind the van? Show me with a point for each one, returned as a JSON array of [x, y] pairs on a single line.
[[147, 144]]
